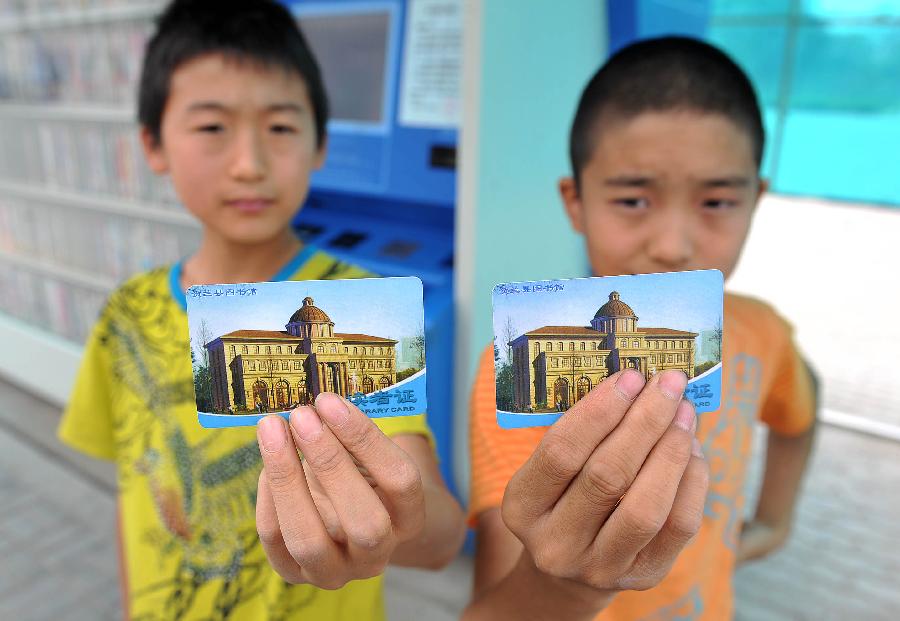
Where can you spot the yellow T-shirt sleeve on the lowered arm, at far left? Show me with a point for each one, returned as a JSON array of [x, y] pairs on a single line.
[[87, 423]]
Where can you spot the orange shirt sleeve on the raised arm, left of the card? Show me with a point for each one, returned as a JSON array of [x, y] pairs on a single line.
[[496, 454]]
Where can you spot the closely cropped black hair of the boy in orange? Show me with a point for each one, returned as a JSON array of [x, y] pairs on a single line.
[[662, 74]]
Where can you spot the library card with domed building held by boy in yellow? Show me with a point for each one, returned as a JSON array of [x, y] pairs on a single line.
[[263, 348]]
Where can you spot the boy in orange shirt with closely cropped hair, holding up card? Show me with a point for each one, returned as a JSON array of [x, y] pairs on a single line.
[[574, 520]]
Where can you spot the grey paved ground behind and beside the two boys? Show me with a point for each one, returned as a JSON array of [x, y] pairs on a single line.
[[57, 559]]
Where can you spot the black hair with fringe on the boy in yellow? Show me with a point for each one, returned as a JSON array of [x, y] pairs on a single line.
[[261, 31]]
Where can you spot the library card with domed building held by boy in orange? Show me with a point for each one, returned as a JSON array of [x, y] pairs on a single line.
[[554, 340]]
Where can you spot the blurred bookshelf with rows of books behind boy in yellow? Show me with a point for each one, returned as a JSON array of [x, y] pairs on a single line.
[[79, 209]]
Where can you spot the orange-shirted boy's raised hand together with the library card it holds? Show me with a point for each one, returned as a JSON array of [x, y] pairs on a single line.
[[619, 366]]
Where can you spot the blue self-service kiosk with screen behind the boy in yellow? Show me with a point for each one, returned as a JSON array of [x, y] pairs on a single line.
[[385, 197]]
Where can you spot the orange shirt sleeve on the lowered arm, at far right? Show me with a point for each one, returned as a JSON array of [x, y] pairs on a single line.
[[790, 405]]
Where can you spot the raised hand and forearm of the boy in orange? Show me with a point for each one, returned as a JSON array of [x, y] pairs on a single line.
[[605, 503]]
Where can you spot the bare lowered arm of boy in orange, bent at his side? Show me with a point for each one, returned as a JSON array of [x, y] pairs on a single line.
[[786, 459]]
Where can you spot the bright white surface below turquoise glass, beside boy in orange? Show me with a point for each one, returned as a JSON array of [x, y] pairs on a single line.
[[832, 270]]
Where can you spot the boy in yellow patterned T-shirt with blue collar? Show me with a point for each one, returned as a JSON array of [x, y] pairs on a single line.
[[232, 107]]
